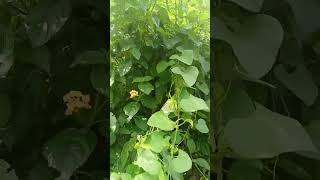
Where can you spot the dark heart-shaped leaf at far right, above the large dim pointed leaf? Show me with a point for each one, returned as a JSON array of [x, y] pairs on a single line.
[[300, 82]]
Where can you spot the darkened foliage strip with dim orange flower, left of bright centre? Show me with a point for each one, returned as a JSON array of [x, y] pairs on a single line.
[[53, 89]]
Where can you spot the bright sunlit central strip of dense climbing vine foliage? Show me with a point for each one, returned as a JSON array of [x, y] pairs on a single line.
[[159, 96]]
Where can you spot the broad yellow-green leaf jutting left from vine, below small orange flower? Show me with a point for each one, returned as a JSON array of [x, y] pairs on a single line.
[[160, 120]]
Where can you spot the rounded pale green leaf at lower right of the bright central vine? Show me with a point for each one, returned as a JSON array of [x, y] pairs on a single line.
[[182, 162]]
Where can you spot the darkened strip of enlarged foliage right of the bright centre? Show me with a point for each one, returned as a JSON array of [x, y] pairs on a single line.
[[266, 80]]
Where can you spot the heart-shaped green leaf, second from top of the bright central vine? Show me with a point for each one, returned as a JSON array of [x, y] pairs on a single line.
[[189, 74]]
